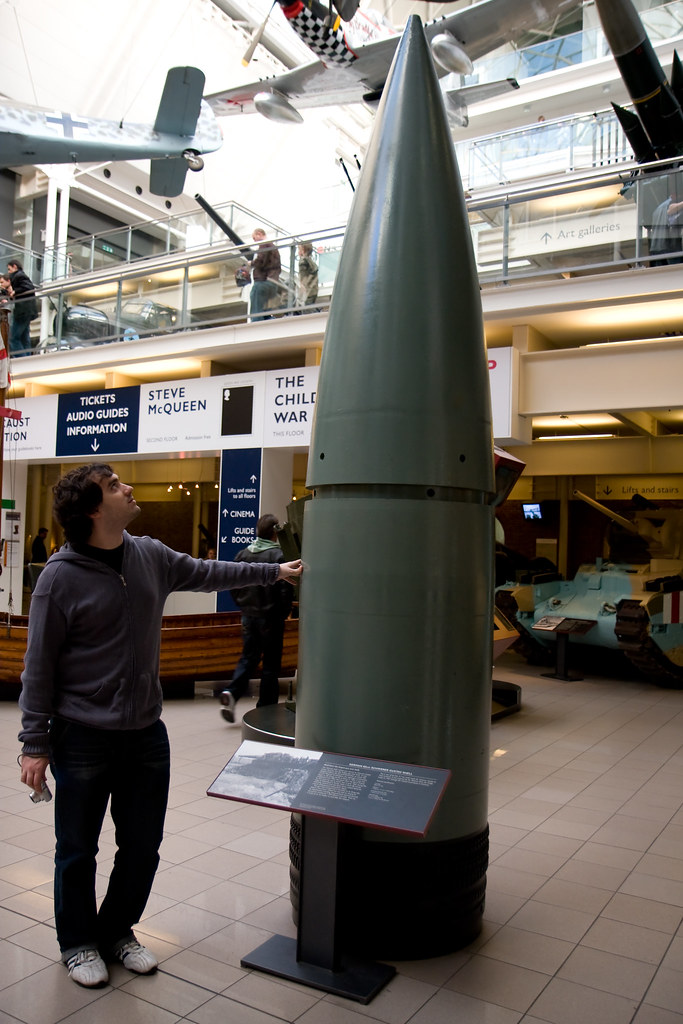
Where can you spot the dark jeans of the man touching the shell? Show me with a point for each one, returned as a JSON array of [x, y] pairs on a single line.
[[90, 765]]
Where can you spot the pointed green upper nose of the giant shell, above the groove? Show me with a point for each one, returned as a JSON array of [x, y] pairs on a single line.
[[404, 388]]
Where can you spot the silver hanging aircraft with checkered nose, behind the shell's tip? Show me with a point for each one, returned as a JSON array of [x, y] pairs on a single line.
[[355, 56]]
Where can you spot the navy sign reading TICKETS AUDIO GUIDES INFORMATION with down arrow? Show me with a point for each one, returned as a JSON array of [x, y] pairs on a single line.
[[98, 423]]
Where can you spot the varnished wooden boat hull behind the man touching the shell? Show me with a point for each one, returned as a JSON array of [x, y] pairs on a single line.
[[193, 648]]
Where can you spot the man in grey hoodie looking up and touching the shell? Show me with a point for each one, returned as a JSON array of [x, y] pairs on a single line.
[[92, 703]]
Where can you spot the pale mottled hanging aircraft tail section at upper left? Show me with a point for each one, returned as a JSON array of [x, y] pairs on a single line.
[[186, 127]]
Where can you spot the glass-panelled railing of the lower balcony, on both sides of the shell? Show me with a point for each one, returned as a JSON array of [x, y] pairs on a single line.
[[605, 223]]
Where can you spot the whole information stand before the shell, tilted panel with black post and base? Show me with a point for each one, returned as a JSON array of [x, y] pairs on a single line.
[[332, 792]]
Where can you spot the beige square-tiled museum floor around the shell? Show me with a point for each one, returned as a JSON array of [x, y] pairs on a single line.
[[585, 889]]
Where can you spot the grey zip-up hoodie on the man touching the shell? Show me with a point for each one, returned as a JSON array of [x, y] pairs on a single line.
[[95, 635]]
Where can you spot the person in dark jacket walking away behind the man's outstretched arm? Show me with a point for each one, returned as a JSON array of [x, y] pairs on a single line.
[[264, 613]]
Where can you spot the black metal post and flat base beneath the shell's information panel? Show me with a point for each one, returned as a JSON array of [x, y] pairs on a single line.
[[315, 958]]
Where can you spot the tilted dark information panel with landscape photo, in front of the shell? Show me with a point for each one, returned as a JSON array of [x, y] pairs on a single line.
[[357, 791]]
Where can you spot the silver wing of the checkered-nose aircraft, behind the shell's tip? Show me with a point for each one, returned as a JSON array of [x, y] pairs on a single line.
[[479, 29]]
